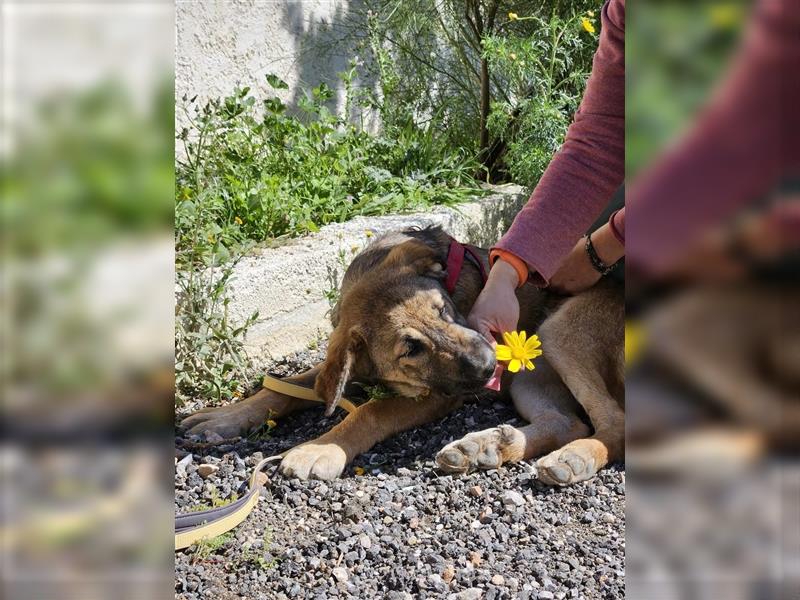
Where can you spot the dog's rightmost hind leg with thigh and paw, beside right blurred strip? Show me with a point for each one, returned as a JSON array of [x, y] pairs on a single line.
[[583, 343]]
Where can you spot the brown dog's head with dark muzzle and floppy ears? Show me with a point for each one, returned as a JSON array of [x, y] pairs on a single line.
[[397, 325]]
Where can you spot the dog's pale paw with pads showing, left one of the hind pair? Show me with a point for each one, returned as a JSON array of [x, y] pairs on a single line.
[[487, 449]]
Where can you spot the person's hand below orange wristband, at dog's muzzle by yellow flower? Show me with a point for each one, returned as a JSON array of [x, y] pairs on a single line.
[[497, 307]]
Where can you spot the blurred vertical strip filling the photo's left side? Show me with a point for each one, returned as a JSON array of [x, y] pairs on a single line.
[[87, 297]]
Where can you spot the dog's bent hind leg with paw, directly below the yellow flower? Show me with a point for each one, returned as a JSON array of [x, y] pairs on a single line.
[[541, 398]]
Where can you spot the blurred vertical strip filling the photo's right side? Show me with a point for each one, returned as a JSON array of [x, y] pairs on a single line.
[[713, 334]]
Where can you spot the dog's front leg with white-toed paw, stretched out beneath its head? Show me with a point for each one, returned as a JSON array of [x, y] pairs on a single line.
[[328, 455]]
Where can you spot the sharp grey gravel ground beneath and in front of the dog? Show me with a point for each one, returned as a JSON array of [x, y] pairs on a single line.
[[400, 529]]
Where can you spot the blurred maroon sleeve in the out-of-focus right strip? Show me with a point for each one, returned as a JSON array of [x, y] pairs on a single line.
[[742, 143]]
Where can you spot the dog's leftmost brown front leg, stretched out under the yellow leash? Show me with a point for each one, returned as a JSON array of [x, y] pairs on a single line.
[[250, 413]]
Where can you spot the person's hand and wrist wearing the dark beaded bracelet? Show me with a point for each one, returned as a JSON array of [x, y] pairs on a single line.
[[576, 273]]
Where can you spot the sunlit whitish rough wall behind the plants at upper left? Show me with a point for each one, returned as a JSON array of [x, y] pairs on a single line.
[[220, 45]]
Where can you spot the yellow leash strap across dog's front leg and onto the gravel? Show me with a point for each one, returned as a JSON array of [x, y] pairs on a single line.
[[206, 524]]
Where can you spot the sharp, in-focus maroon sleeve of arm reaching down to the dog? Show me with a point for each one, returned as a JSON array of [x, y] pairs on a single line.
[[584, 174]]
